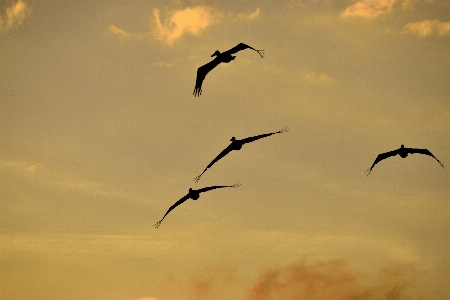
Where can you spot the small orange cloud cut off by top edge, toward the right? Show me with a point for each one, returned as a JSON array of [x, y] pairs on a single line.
[[368, 9]]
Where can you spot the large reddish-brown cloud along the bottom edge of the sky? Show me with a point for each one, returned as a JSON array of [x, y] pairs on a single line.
[[333, 280]]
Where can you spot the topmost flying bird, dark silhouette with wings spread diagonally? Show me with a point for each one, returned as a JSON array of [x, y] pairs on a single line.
[[224, 57]]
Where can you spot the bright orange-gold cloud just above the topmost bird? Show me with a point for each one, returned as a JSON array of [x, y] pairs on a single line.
[[189, 20]]
